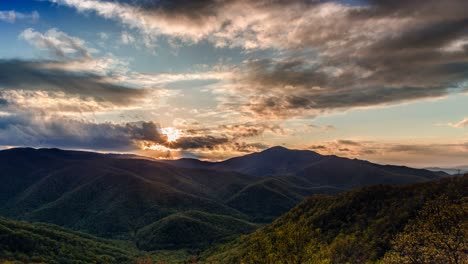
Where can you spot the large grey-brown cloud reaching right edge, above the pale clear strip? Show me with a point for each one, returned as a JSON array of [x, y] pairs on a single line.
[[286, 88]]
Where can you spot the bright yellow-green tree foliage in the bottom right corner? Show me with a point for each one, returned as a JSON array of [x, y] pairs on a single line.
[[437, 235]]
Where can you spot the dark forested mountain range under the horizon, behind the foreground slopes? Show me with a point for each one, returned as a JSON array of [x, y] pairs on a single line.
[[185, 203]]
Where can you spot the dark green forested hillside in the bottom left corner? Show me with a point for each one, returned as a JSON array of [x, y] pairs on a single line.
[[24, 242]]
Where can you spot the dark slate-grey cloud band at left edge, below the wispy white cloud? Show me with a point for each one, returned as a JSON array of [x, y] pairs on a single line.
[[31, 75]]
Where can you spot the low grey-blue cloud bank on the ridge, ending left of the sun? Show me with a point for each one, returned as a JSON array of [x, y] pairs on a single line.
[[40, 130]]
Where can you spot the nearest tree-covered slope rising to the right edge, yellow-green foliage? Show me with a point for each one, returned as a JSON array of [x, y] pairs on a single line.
[[421, 223]]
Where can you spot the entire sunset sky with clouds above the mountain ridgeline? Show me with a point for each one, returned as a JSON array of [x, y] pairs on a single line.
[[381, 80]]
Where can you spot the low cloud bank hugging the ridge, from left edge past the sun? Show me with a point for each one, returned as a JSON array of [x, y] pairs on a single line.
[[45, 130]]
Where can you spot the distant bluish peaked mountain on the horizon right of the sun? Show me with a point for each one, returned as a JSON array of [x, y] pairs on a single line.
[[315, 168]]
